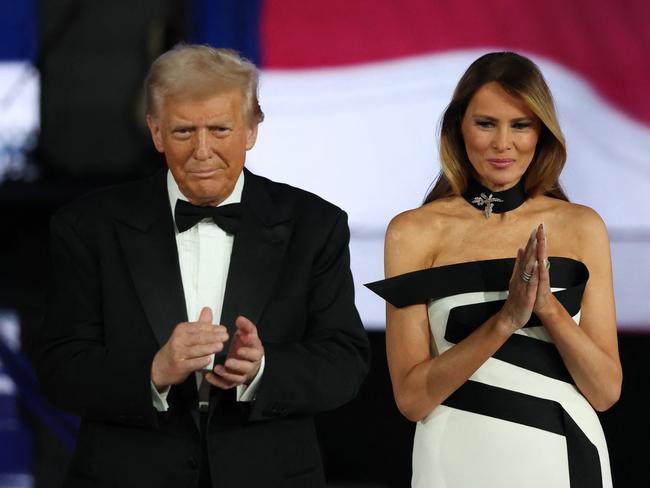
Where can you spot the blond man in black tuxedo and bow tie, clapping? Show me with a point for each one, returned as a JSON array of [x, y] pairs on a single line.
[[141, 274]]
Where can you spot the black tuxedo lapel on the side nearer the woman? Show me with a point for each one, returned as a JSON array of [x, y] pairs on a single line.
[[257, 255]]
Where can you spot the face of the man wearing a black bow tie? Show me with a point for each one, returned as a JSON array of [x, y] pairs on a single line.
[[205, 142]]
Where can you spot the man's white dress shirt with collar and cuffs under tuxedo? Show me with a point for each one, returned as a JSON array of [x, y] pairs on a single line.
[[204, 257]]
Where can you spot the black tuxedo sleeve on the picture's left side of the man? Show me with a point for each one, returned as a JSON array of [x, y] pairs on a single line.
[[78, 370]]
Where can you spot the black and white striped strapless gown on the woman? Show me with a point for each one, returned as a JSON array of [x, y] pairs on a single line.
[[519, 421]]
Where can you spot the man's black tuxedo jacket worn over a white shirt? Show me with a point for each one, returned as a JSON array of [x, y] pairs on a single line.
[[116, 297]]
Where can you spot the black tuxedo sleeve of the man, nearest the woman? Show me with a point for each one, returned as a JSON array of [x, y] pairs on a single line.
[[326, 368]]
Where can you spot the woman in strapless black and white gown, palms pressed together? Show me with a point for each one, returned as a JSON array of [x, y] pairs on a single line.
[[501, 341]]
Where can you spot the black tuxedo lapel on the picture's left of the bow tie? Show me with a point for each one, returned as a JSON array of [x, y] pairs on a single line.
[[146, 235]]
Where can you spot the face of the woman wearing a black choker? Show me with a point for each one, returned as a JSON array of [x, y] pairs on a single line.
[[500, 134]]
